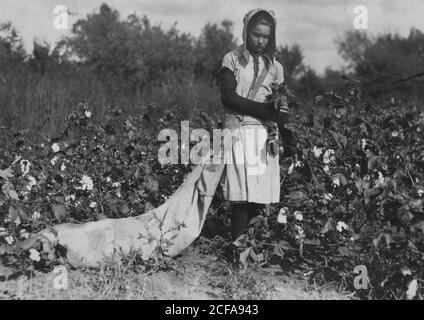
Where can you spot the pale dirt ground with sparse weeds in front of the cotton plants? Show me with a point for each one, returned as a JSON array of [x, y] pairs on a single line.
[[193, 275]]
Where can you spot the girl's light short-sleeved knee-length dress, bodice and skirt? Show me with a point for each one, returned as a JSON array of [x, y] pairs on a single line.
[[251, 173]]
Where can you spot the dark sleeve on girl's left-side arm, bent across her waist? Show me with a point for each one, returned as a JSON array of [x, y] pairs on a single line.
[[233, 101]]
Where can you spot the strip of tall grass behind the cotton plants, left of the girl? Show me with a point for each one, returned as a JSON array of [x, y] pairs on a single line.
[[40, 103]]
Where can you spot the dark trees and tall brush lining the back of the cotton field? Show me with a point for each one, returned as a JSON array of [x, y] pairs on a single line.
[[127, 61]]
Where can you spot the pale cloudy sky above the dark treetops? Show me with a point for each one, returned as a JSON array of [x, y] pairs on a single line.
[[313, 24]]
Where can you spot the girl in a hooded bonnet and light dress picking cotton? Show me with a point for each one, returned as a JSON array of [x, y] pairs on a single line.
[[251, 179]]
